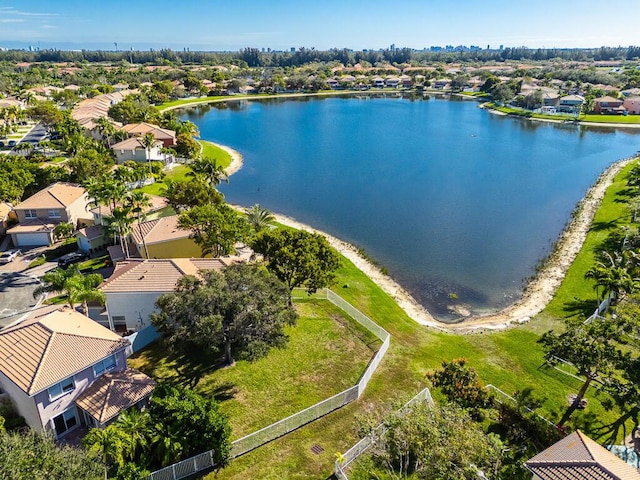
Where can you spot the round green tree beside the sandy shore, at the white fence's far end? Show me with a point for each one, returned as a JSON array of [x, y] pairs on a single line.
[[298, 258]]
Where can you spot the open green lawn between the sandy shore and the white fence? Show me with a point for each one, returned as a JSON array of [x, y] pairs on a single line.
[[511, 360]]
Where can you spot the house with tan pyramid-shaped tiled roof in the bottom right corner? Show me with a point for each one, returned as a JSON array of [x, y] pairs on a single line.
[[577, 456]]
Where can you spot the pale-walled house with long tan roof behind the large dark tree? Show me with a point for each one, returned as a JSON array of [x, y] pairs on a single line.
[[136, 284]]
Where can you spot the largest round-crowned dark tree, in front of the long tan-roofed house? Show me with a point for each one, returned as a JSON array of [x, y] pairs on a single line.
[[241, 311]]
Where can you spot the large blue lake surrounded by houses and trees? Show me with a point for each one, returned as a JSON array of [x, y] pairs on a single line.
[[448, 197]]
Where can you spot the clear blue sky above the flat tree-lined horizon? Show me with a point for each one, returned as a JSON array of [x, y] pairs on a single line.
[[281, 24]]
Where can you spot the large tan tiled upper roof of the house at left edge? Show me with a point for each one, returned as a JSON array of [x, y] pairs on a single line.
[[52, 344]]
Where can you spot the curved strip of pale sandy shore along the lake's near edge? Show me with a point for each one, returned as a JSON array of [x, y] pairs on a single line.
[[535, 297]]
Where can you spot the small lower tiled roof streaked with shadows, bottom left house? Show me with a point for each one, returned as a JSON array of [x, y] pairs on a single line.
[[114, 392]]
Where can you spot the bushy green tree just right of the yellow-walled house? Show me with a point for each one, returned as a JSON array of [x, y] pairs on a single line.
[[215, 228]]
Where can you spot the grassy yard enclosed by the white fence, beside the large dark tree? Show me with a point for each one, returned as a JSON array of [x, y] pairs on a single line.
[[327, 353]]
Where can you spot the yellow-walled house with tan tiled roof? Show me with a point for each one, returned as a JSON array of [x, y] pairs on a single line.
[[161, 238]]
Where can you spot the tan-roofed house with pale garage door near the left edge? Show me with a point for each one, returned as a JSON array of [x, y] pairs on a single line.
[[39, 214]]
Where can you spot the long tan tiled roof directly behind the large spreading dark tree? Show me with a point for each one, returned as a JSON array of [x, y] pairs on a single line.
[[158, 275]]
